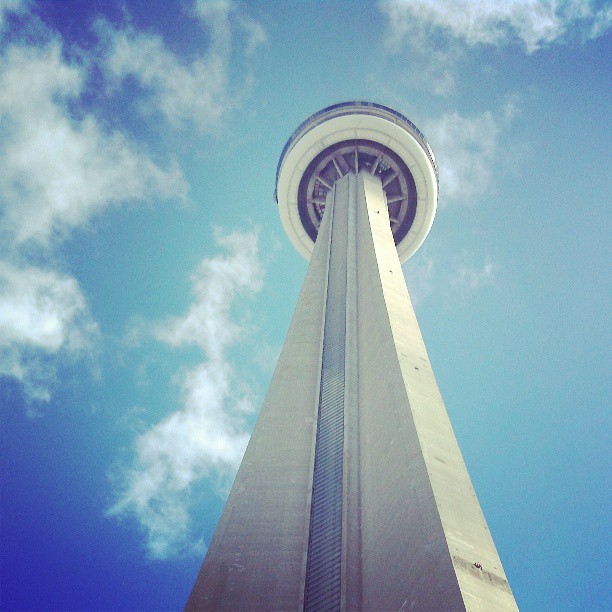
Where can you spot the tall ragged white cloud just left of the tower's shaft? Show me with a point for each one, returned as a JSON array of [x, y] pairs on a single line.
[[207, 436]]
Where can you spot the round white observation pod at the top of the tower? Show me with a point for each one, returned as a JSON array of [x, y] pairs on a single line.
[[354, 137]]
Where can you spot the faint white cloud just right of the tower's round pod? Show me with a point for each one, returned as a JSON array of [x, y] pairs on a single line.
[[467, 150]]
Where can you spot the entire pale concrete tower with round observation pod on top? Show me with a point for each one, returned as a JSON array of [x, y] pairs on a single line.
[[352, 494]]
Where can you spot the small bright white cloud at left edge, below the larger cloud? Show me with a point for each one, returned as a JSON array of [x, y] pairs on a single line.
[[42, 313]]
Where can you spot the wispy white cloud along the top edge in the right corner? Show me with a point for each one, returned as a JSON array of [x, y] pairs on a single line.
[[439, 33]]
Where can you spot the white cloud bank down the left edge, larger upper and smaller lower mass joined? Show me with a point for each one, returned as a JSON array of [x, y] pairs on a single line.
[[57, 172]]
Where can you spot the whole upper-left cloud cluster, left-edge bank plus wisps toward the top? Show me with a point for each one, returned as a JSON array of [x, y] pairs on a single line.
[[62, 166]]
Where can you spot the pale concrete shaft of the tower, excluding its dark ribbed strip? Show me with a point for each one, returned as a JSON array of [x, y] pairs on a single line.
[[413, 534]]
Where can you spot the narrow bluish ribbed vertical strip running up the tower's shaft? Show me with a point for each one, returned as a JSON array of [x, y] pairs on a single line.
[[323, 569]]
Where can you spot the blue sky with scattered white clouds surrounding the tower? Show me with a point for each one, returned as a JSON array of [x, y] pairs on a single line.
[[146, 284]]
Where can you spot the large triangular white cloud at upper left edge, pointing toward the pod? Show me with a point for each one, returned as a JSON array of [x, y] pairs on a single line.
[[58, 171]]
